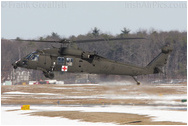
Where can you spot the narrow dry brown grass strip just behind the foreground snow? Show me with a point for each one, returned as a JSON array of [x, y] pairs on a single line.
[[75, 101]]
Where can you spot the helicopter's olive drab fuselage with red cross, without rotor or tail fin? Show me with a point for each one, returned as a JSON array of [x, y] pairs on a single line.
[[77, 61]]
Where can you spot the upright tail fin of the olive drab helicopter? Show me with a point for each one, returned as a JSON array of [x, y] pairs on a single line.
[[159, 61]]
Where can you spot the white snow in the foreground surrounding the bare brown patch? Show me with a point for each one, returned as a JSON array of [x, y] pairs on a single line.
[[159, 113]]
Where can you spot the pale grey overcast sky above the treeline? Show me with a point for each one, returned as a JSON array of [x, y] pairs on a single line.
[[30, 20]]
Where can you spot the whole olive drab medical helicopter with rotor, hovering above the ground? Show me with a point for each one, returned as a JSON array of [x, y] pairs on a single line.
[[75, 60]]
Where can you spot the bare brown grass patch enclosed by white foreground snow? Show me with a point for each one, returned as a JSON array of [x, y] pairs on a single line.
[[117, 118]]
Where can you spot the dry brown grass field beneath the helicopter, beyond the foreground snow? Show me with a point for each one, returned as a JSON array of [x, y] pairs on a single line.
[[84, 90]]
